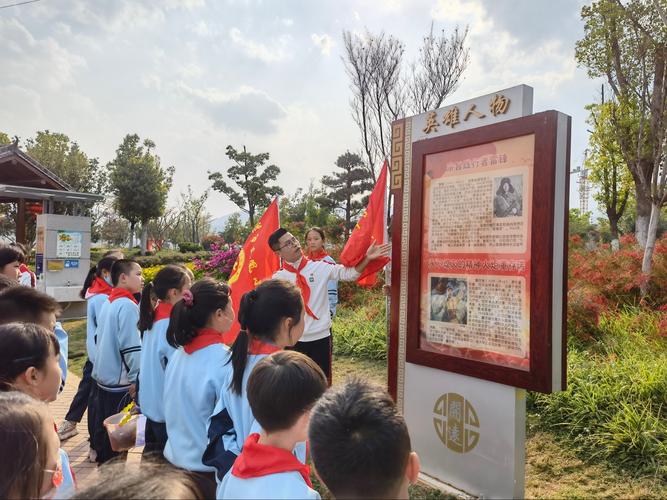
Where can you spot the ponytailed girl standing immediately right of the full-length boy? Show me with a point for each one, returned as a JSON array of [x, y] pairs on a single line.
[[167, 287]]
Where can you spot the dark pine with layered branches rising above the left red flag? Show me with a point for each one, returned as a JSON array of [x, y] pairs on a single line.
[[253, 179]]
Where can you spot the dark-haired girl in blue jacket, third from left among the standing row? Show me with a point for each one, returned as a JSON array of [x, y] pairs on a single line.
[[194, 374]]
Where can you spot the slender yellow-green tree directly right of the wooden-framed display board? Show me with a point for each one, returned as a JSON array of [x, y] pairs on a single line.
[[608, 170]]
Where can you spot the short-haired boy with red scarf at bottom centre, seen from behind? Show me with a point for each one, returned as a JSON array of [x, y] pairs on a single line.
[[282, 389]]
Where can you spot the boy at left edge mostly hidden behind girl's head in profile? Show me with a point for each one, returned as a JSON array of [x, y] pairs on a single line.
[[27, 305]]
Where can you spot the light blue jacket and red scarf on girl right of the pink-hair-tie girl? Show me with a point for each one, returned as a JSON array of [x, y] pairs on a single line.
[[192, 386]]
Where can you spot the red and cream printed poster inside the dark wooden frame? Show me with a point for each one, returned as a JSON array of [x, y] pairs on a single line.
[[475, 268]]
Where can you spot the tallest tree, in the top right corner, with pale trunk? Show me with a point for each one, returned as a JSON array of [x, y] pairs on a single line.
[[626, 43]]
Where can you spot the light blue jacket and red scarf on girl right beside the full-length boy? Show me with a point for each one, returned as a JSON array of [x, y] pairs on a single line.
[[155, 355]]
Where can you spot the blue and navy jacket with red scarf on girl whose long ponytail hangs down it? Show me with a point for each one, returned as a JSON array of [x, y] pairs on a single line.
[[232, 420]]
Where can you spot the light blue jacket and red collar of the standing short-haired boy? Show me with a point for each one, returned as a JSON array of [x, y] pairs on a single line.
[[118, 355]]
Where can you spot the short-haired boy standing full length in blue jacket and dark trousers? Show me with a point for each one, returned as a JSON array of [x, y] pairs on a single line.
[[116, 363]]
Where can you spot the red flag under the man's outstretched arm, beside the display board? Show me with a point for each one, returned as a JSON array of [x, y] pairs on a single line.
[[370, 227]]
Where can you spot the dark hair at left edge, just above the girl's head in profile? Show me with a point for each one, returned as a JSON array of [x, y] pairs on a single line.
[[22, 303]]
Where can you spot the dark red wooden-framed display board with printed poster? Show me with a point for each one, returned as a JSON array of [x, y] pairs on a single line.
[[487, 232]]
